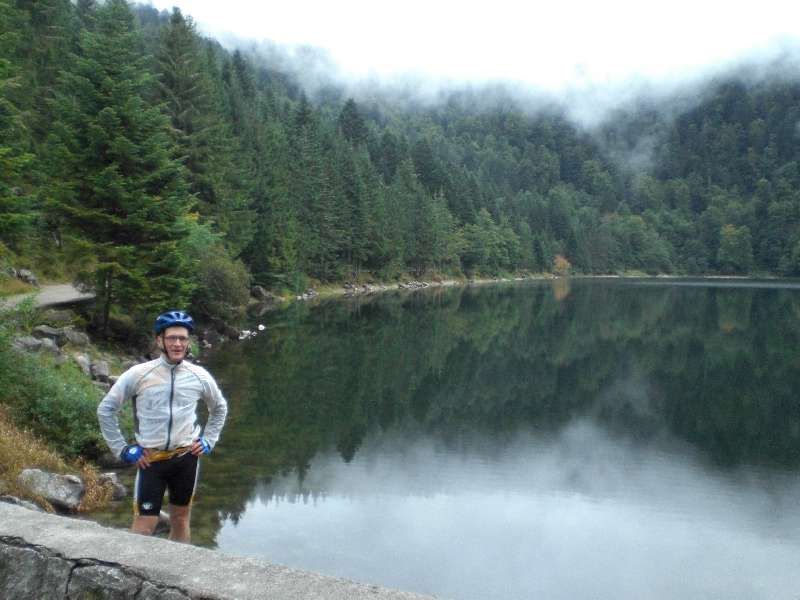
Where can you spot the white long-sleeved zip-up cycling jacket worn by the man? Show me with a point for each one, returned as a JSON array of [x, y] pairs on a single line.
[[165, 397]]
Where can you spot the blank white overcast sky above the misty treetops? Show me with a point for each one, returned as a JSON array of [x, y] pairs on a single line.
[[552, 45]]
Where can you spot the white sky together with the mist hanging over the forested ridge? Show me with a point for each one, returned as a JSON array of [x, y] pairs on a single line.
[[591, 59]]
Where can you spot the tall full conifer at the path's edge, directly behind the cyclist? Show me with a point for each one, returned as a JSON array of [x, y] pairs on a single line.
[[122, 194]]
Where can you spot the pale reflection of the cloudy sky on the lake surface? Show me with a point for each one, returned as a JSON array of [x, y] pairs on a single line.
[[577, 514]]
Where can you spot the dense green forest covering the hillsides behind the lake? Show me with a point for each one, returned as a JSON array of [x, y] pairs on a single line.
[[160, 169]]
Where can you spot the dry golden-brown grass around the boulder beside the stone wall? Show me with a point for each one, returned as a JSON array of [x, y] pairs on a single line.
[[22, 449]]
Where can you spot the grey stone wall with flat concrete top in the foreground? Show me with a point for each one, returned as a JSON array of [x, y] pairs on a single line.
[[47, 556]]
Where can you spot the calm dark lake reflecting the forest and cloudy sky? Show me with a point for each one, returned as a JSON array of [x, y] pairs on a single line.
[[575, 440]]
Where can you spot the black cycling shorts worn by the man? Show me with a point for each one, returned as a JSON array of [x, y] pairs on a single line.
[[178, 475]]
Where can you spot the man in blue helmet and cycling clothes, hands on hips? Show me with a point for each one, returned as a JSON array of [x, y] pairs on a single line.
[[169, 439]]
